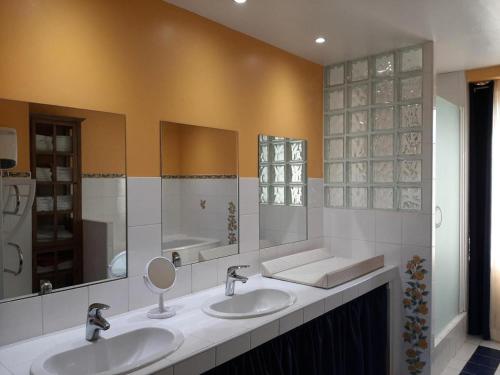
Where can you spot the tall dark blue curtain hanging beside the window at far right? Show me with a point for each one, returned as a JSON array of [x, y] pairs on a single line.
[[480, 162]]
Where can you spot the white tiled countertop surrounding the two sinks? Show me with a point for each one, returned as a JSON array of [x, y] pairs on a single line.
[[208, 341]]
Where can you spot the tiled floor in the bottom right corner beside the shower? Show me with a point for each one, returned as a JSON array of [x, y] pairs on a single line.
[[457, 364]]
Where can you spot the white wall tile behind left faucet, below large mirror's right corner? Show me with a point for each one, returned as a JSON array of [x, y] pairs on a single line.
[[112, 293]]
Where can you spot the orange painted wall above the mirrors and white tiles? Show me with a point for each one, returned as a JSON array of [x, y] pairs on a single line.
[[153, 61]]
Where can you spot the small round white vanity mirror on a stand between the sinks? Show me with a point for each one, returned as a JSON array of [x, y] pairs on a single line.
[[160, 277]]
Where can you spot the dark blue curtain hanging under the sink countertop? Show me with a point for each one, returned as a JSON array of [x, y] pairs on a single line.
[[350, 340]]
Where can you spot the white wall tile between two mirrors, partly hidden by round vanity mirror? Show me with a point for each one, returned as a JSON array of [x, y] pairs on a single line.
[[144, 244]]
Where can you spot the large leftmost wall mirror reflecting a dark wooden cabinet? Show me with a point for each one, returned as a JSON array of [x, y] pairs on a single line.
[[63, 199]]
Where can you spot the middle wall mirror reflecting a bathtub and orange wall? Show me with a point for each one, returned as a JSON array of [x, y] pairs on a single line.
[[199, 193]]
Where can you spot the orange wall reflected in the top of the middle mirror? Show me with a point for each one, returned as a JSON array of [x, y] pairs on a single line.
[[196, 150]]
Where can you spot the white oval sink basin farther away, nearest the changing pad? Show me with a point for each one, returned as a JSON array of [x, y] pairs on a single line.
[[249, 305]]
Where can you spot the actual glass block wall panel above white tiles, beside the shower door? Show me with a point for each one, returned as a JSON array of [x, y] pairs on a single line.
[[373, 132]]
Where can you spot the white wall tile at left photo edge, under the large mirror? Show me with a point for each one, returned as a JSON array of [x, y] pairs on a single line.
[[20, 319]]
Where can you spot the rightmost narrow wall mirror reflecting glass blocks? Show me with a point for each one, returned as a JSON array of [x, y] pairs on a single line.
[[282, 190]]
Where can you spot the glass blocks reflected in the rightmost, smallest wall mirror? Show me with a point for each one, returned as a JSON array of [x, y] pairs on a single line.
[[282, 171]]
